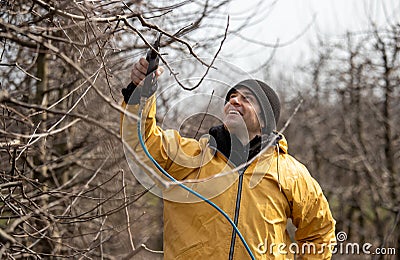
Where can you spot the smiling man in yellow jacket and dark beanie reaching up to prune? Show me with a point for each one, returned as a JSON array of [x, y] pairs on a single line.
[[260, 198]]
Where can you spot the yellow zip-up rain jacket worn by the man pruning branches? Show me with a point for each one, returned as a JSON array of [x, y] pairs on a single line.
[[273, 188]]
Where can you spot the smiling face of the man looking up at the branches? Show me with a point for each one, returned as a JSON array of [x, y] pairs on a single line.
[[242, 113]]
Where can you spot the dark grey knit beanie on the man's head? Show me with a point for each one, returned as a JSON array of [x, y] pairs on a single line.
[[266, 97]]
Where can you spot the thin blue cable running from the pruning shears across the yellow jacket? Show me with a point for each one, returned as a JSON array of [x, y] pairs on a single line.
[[139, 130]]
